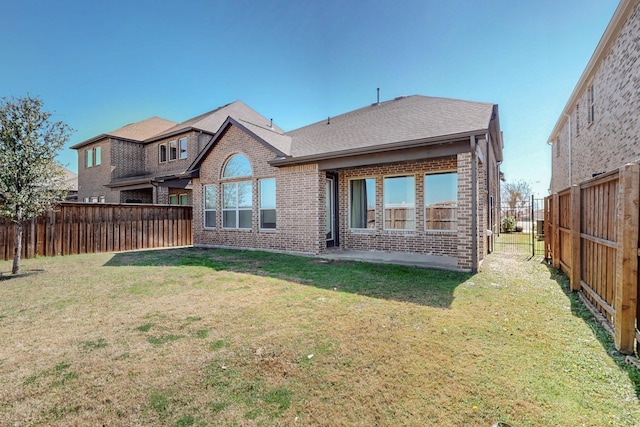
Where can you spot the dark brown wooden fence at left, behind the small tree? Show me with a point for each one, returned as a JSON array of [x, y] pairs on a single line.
[[78, 228]]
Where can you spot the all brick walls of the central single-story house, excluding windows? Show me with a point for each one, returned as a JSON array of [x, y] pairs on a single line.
[[300, 206]]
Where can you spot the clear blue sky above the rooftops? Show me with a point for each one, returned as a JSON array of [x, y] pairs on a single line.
[[101, 65]]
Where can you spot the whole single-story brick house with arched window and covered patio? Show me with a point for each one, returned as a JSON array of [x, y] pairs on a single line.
[[415, 175]]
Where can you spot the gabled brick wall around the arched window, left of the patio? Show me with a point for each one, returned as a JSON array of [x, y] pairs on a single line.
[[297, 200]]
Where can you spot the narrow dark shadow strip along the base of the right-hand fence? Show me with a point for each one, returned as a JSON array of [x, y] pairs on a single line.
[[579, 310]]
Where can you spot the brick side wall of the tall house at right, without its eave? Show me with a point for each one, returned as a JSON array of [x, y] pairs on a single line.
[[612, 139]]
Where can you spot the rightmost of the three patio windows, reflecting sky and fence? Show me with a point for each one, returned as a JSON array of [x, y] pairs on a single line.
[[441, 201]]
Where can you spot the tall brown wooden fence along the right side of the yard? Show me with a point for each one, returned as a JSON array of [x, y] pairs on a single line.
[[592, 235]]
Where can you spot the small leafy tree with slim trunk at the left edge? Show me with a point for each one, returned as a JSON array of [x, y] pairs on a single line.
[[31, 181]]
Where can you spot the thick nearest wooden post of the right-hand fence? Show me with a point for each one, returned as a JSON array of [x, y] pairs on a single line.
[[626, 285]]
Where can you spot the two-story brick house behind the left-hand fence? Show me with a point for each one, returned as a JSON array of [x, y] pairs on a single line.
[[145, 162]]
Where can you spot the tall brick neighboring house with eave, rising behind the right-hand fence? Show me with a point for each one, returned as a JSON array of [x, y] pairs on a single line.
[[599, 128]]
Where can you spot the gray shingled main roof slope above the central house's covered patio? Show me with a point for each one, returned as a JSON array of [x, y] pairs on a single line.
[[404, 119]]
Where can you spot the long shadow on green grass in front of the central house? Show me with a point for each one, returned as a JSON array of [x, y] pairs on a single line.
[[416, 285]]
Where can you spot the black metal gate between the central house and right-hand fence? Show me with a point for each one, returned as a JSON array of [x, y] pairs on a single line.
[[521, 228]]
